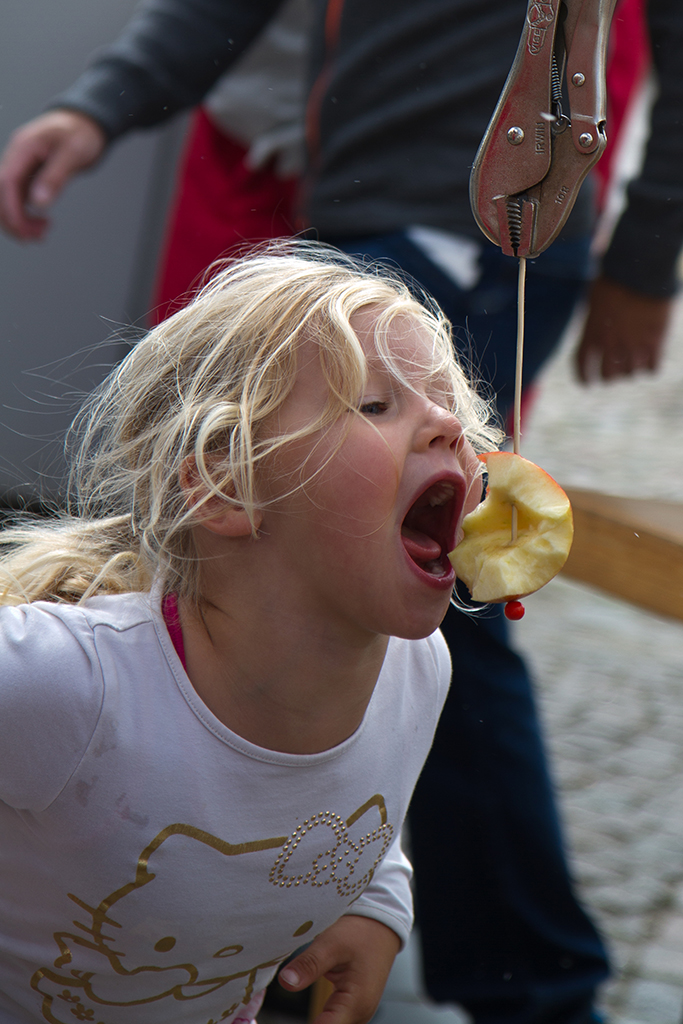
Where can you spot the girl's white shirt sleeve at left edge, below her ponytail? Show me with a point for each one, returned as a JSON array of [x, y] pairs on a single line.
[[51, 699]]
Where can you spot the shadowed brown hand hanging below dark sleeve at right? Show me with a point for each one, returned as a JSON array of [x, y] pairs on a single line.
[[624, 332]]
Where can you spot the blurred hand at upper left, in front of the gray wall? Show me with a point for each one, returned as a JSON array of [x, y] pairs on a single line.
[[39, 160]]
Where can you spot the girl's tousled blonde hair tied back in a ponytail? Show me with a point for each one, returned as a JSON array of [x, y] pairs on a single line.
[[198, 389]]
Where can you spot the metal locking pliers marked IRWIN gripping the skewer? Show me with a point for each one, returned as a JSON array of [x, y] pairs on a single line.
[[534, 157]]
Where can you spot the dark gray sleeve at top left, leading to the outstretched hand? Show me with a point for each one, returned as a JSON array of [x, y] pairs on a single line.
[[167, 59]]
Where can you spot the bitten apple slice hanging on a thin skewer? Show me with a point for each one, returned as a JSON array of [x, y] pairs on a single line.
[[494, 567]]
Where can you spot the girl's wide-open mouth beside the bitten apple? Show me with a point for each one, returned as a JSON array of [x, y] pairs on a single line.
[[429, 530]]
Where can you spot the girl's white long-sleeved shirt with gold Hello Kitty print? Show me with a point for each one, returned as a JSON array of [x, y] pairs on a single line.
[[156, 867]]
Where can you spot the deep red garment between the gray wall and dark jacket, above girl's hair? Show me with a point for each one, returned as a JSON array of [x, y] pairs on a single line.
[[219, 204]]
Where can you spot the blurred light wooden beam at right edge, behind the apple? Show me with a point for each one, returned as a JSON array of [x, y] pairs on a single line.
[[629, 547]]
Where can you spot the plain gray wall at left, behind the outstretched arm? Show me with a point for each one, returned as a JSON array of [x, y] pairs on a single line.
[[94, 274]]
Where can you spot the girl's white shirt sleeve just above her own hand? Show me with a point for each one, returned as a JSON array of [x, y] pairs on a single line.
[[389, 899]]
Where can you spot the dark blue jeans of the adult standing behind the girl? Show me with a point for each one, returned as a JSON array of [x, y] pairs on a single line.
[[502, 932]]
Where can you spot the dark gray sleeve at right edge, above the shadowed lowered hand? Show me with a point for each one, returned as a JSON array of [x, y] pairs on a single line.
[[648, 241]]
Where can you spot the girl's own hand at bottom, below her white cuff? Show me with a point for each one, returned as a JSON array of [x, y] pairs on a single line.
[[356, 956]]
